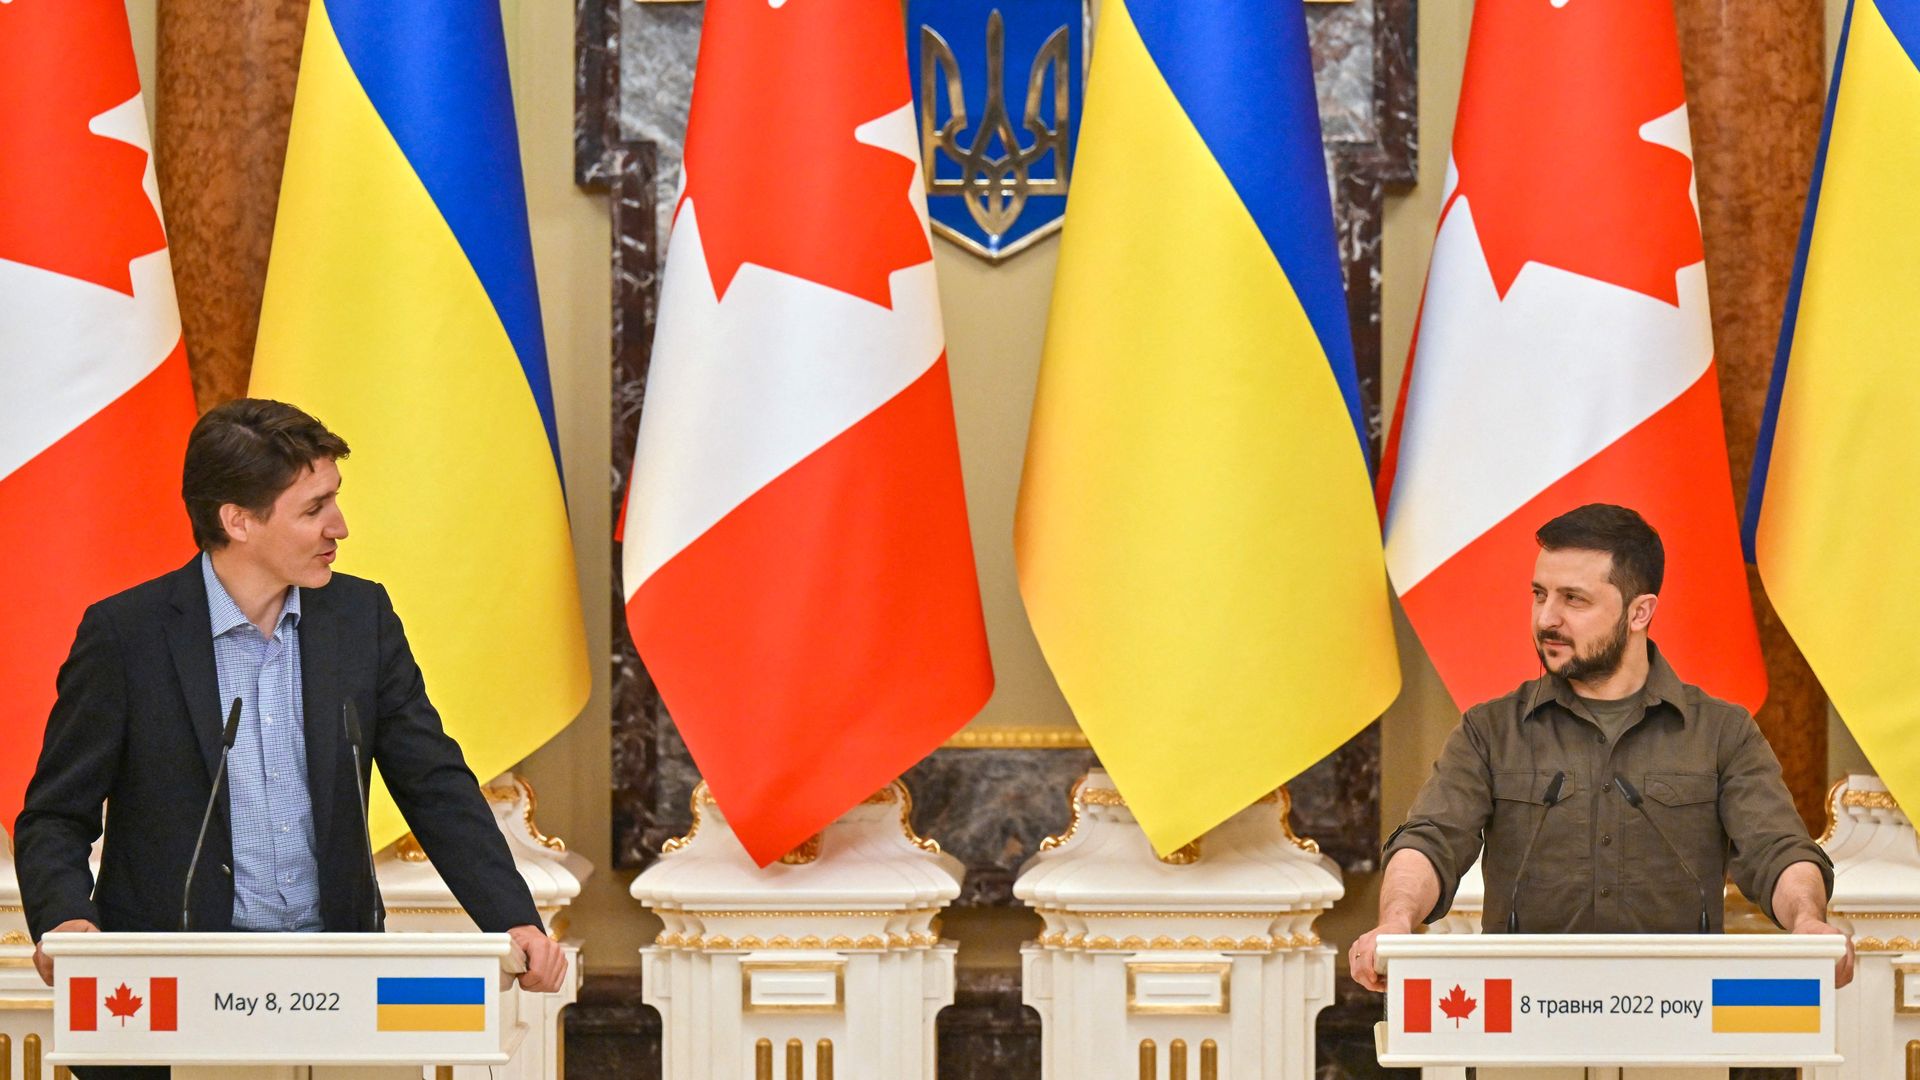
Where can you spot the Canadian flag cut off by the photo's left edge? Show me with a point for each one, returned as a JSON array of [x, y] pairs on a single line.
[[95, 397]]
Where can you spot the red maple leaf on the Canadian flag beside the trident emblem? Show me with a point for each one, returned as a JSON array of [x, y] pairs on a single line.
[[773, 166]]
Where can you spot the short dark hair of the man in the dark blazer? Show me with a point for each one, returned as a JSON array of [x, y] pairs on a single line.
[[247, 453]]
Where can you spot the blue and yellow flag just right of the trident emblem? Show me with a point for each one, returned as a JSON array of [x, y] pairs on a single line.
[[1197, 537]]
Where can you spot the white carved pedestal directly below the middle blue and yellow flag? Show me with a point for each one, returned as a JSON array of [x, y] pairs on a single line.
[[1197, 968]]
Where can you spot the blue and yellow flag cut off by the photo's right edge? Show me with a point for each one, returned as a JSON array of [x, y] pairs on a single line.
[[1833, 504]]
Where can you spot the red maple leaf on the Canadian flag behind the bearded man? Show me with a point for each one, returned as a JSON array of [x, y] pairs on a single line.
[[1550, 153]]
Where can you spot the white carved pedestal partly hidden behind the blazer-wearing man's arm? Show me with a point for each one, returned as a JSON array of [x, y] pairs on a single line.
[[418, 900]]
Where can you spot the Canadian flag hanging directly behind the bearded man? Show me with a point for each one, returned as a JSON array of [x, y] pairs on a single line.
[[1564, 351]]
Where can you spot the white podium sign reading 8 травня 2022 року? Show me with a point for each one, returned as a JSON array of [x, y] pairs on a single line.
[[1706, 1000]]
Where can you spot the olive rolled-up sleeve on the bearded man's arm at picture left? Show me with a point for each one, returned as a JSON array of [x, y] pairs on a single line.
[[1449, 818]]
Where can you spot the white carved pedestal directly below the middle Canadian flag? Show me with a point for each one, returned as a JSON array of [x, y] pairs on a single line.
[[827, 964]]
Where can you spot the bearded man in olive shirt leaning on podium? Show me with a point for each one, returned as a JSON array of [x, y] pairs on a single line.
[[1572, 752]]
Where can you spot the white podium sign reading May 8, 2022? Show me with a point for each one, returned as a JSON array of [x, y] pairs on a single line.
[[277, 998]]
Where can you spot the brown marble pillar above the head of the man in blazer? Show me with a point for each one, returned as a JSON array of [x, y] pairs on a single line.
[[224, 101]]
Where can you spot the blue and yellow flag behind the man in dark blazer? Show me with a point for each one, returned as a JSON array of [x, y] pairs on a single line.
[[402, 310]]
